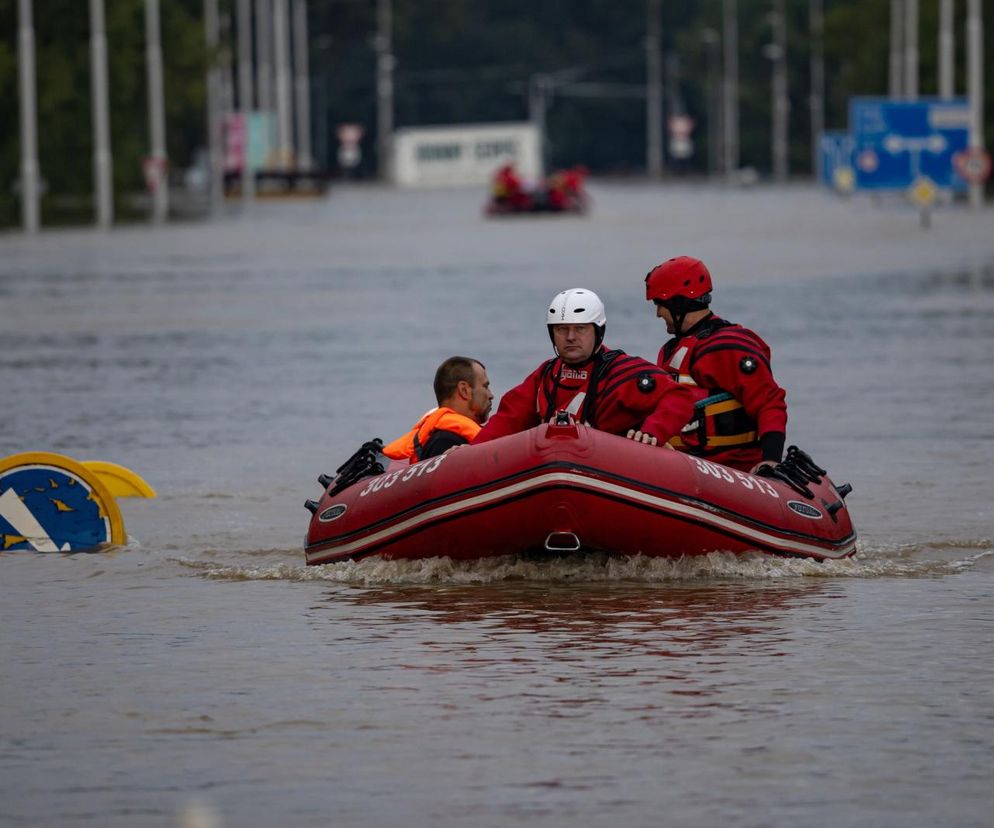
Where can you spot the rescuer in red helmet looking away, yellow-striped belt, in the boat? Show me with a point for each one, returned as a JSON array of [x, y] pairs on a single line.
[[740, 413]]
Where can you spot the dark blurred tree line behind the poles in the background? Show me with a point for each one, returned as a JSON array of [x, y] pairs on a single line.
[[458, 61]]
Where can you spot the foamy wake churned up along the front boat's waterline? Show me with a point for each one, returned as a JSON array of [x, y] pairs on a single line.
[[910, 561]]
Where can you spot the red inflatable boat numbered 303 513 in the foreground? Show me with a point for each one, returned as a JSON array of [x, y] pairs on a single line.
[[565, 487]]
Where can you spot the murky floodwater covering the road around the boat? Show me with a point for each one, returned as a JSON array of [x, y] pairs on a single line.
[[229, 364]]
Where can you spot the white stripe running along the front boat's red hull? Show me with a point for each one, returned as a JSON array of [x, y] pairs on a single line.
[[577, 479]]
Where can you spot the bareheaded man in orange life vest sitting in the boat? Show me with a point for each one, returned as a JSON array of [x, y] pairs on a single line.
[[462, 390]]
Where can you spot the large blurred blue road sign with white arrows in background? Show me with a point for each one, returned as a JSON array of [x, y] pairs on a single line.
[[897, 143]]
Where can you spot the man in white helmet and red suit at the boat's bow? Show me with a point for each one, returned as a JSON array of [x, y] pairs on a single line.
[[608, 390]]
